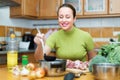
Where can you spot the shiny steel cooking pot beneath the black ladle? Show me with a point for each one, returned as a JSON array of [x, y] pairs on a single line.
[[54, 68]]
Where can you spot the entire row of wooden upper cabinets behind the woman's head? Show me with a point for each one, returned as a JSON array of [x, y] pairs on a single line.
[[47, 9]]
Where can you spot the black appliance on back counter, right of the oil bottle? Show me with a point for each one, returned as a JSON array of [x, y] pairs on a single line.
[[28, 37]]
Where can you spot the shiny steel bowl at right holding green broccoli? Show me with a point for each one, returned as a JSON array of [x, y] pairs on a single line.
[[106, 71]]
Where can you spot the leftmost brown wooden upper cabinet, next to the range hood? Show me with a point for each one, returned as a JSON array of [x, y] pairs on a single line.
[[27, 8]]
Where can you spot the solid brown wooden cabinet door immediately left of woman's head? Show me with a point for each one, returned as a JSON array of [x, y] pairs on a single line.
[[48, 8]]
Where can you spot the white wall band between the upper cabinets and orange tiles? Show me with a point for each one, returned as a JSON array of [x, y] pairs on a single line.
[[92, 22]]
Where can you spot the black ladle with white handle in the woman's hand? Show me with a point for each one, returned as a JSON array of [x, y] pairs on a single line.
[[47, 58]]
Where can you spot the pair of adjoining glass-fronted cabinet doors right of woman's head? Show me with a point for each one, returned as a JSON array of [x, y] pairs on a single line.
[[89, 7]]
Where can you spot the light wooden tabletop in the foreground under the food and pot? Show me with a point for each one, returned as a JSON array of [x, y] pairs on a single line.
[[5, 75]]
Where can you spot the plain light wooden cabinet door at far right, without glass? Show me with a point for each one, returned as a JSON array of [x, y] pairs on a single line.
[[114, 6]]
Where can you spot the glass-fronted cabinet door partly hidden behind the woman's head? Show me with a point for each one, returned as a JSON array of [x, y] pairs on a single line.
[[78, 4]]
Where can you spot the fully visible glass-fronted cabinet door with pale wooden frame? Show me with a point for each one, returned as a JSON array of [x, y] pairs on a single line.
[[92, 7]]
